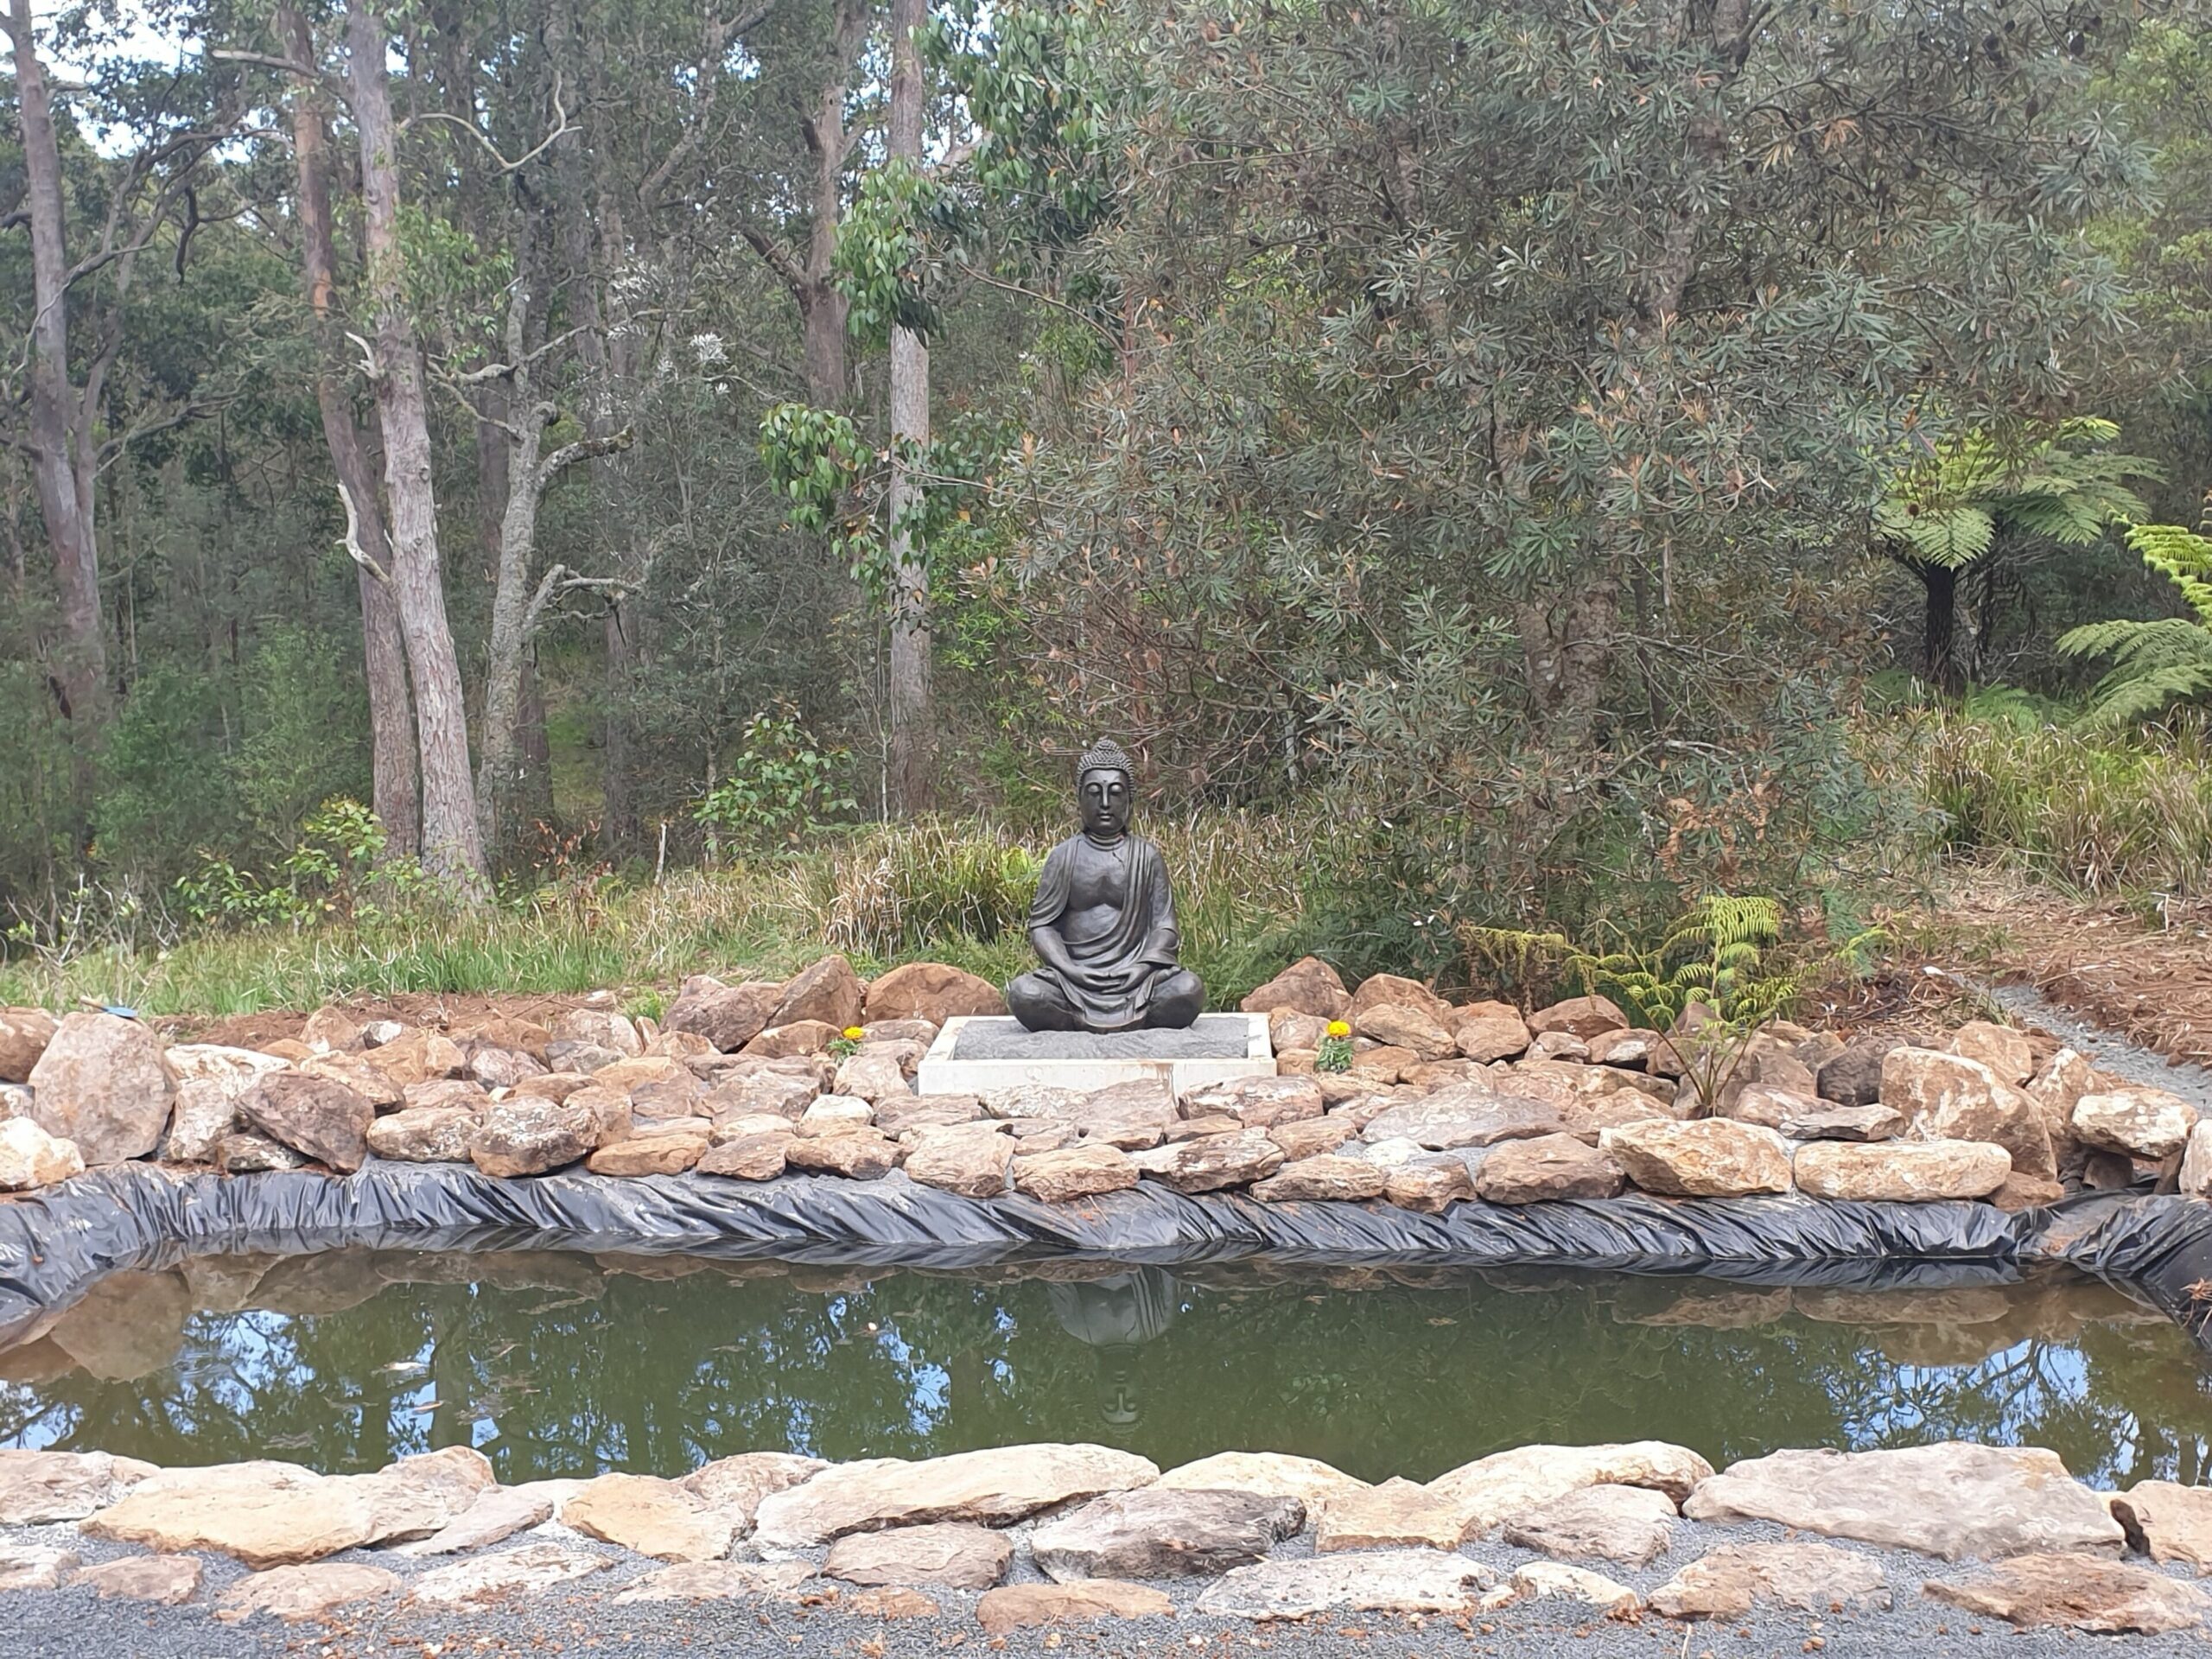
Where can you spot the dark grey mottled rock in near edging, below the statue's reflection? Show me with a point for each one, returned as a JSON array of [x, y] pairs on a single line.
[[1165, 1534]]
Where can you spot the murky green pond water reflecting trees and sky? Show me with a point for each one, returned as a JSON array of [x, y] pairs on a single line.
[[567, 1364]]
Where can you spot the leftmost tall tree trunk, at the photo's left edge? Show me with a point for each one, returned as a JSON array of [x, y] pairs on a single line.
[[61, 419]]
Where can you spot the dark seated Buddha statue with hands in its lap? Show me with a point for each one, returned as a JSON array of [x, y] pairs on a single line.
[[1105, 921]]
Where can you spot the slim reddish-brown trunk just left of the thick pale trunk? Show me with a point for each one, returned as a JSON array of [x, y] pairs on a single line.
[[393, 744]]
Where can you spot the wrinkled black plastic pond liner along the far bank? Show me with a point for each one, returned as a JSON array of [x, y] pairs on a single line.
[[56, 1244]]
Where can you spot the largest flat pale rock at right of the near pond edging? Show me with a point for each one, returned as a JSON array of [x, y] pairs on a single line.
[[1996, 1501]]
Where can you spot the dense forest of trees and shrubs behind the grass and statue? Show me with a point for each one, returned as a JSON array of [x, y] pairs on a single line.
[[1547, 459]]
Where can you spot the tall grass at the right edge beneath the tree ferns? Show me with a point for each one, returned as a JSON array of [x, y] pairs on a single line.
[[2100, 813]]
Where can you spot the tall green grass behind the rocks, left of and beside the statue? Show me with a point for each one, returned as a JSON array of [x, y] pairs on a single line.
[[941, 890]]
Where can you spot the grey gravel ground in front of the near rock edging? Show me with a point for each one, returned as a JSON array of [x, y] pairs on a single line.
[[583, 1618]]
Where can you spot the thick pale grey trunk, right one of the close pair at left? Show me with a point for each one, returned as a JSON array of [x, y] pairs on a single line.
[[450, 837]]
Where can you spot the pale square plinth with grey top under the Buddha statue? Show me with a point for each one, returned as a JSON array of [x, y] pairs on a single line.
[[974, 1056]]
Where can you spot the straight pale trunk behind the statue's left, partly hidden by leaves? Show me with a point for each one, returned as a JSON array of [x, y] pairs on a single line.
[[912, 718]]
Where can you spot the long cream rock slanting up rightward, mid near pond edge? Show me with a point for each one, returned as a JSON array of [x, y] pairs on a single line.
[[999, 1485]]
